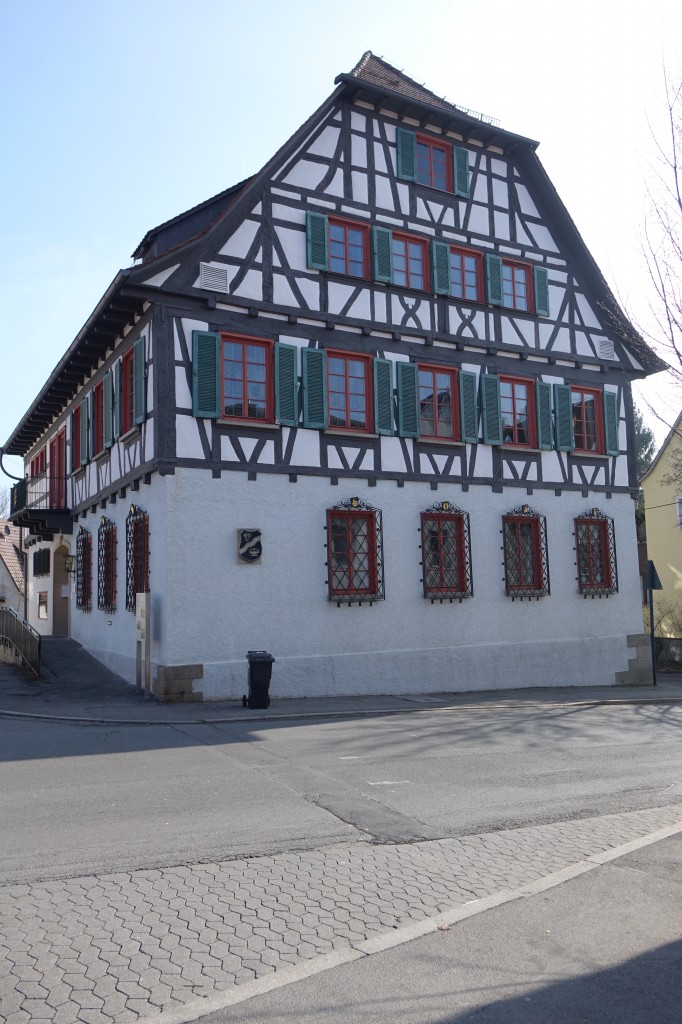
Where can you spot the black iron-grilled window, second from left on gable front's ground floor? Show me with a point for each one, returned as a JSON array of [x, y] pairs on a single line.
[[446, 550]]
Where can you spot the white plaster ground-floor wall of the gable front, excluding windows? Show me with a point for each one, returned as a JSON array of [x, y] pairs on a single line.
[[216, 610]]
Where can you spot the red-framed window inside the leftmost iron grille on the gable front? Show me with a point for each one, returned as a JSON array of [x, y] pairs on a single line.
[[353, 549]]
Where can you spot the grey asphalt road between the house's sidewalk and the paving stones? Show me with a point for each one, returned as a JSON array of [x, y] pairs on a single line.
[[91, 799]]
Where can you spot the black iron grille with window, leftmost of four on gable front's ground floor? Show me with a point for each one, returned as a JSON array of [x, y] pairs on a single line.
[[356, 558]]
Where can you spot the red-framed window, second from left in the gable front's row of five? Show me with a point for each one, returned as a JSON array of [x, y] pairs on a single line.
[[349, 381]]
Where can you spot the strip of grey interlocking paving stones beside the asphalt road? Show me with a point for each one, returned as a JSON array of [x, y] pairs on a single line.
[[120, 948]]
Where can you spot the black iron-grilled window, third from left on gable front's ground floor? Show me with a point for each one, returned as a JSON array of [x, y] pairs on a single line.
[[526, 558]]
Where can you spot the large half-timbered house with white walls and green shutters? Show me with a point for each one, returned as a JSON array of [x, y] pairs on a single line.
[[369, 410]]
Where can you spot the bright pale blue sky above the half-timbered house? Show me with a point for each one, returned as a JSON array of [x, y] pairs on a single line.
[[115, 117]]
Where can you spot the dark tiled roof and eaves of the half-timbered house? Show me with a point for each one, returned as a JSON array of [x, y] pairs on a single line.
[[375, 81]]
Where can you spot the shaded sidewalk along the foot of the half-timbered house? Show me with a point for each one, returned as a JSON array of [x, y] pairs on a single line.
[[77, 688]]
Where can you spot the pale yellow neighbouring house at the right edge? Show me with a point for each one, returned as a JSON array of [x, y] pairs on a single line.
[[663, 506]]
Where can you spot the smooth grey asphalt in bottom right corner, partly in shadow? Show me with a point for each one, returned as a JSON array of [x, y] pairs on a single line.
[[604, 947]]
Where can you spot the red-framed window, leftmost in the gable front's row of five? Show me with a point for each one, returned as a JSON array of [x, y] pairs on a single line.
[[250, 365]]
